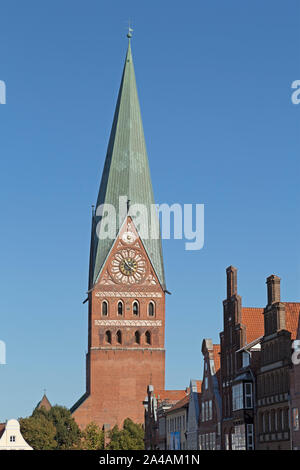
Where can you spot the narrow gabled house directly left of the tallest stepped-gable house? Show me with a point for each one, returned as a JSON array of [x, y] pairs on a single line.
[[209, 430]]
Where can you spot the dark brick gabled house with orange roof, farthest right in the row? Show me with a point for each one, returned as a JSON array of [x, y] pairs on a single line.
[[273, 383]]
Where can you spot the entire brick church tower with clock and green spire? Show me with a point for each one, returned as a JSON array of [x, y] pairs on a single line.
[[126, 297]]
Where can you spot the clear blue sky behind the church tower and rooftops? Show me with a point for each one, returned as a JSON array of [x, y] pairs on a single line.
[[214, 81]]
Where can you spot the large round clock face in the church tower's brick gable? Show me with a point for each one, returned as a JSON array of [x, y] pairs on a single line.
[[128, 266]]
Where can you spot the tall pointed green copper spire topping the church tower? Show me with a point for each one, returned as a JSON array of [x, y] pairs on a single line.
[[126, 171]]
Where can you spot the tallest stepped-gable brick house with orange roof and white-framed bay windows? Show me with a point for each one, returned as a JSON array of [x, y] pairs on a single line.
[[242, 327]]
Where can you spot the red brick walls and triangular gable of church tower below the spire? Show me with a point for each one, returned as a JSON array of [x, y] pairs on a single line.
[[126, 350]]
